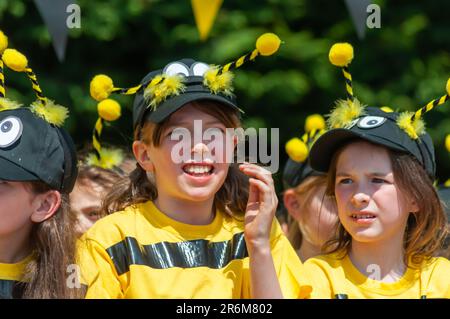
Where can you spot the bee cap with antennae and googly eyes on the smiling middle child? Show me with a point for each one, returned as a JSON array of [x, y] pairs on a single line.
[[162, 92]]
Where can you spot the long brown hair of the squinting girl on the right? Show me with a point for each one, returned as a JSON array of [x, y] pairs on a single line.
[[425, 230]]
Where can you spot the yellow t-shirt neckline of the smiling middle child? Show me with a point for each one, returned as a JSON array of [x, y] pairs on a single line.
[[166, 222]]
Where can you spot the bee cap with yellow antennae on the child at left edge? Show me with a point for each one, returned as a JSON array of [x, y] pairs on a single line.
[[33, 147]]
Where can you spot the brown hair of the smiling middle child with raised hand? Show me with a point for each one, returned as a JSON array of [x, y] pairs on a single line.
[[140, 187]]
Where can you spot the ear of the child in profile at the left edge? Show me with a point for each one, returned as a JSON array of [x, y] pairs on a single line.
[[45, 205]]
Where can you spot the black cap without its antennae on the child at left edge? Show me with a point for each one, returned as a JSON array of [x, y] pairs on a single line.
[[31, 149]]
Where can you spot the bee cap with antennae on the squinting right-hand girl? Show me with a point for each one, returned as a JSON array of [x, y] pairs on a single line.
[[404, 132]]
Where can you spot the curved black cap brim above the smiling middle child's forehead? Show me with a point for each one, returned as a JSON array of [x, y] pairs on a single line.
[[175, 103]]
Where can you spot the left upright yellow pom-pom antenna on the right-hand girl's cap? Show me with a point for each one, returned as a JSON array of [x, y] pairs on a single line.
[[341, 54]]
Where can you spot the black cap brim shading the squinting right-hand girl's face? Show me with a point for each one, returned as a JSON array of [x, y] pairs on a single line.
[[324, 148]]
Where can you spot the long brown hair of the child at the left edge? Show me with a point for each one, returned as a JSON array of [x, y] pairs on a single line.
[[53, 243]]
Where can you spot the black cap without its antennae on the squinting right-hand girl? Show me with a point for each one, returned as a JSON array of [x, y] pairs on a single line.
[[378, 127]]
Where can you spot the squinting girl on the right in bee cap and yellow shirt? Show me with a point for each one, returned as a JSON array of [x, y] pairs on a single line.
[[380, 168]]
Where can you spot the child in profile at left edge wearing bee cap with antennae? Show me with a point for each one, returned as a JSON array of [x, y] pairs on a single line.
[[37, 172]]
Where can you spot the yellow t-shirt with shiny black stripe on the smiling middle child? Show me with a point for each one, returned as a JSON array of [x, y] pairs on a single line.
[[142, 253]]
